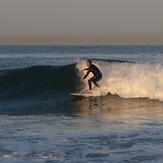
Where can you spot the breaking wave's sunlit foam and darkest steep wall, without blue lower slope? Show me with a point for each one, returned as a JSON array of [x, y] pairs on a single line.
[[126, 79]]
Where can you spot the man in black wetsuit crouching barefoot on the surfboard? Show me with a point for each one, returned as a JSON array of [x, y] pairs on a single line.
[[95, 71]]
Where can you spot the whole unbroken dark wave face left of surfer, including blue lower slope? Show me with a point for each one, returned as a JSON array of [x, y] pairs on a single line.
[[36, 90]]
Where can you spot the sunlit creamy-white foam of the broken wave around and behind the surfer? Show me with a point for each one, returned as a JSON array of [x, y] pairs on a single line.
[[129, 80]]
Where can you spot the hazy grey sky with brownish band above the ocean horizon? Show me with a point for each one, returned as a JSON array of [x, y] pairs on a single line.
[[81, 21]]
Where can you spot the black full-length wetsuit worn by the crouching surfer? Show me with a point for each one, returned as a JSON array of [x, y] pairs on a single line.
[[97, 76]]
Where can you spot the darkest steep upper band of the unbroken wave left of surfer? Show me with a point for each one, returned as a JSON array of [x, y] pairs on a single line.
[[34, 80]]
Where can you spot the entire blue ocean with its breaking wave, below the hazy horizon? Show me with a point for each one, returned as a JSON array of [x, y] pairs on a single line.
[[121, 123]]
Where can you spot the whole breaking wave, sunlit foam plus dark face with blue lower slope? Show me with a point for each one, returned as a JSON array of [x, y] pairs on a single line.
[[45, 89]]
